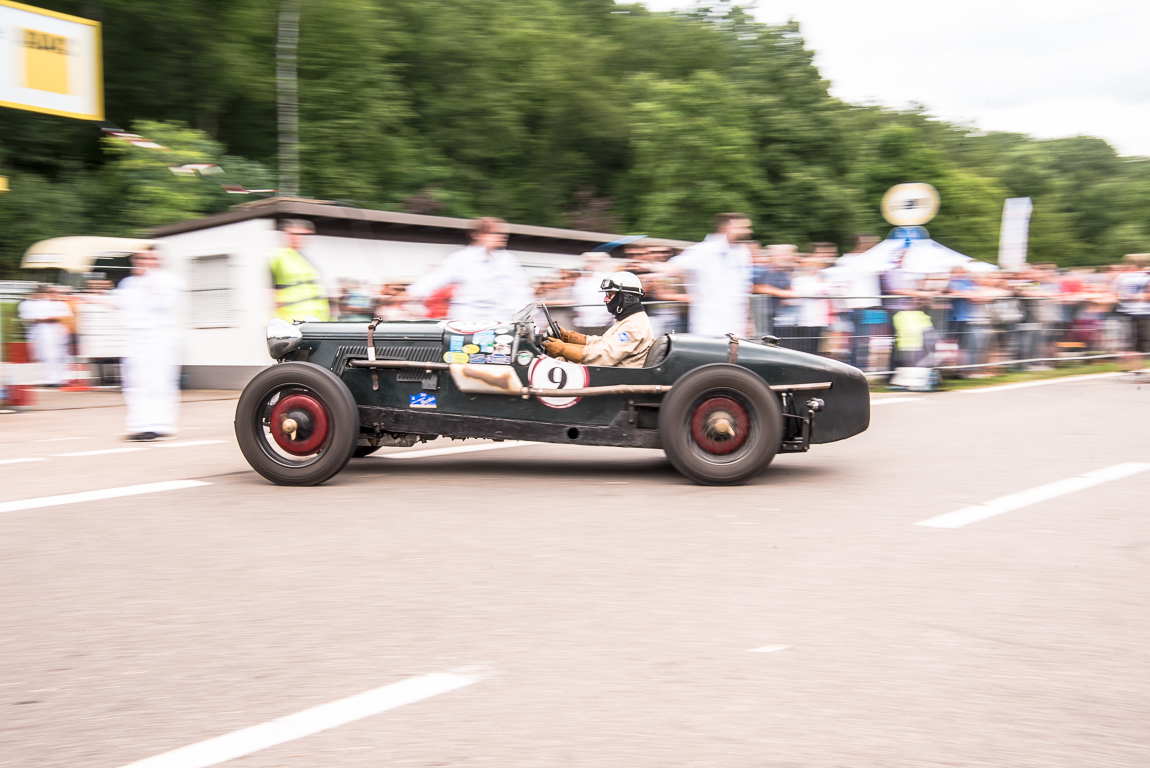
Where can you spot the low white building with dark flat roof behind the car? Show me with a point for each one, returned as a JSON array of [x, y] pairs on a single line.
[[224, 259]]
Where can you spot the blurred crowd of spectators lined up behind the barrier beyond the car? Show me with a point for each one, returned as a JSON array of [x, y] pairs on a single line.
[[968, 318]]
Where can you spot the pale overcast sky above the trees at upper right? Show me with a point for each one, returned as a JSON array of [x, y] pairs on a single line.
[[1048, 68]]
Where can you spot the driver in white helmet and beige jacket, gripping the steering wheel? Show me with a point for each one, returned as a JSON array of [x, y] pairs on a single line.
[[626, 344]]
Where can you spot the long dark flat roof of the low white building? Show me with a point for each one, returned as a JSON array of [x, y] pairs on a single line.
[[343, 221]]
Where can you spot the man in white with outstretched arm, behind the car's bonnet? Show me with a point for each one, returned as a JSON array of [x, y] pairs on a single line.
[[488, 283]]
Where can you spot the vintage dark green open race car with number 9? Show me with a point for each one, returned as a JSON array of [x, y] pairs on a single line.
[[720, 409]]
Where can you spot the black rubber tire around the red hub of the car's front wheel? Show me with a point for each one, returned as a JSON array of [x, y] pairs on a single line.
[[318, 386]]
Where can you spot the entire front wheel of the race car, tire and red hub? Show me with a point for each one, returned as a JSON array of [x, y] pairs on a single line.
[[297, 425]]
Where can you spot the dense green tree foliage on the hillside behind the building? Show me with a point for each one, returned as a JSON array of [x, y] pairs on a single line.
[[568, 113]]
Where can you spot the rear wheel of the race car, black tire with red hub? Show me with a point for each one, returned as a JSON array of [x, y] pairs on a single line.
[[720, 393]]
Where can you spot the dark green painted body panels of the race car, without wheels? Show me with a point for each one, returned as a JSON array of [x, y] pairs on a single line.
[[331, 345]]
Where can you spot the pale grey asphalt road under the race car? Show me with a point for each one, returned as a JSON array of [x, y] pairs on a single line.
[[594, 608]]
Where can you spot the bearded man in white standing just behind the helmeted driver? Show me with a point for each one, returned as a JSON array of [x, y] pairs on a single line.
[[718, 274]]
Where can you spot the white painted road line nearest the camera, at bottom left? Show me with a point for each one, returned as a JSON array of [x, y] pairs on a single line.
[[323, 718]]
